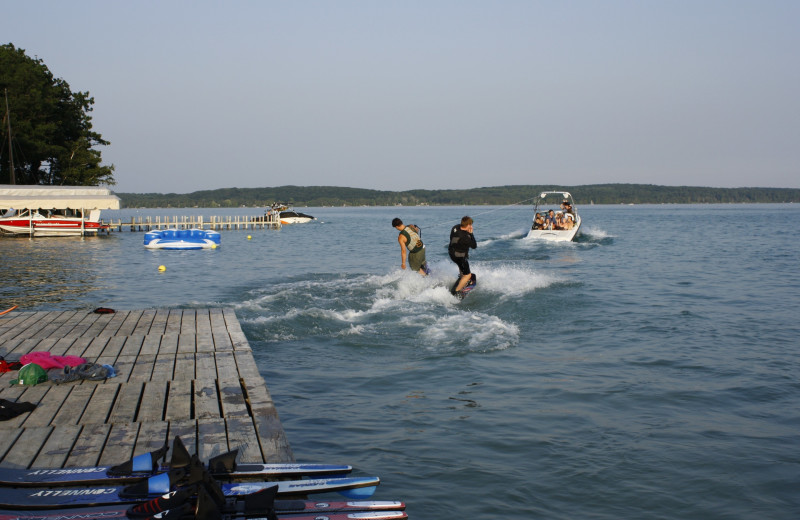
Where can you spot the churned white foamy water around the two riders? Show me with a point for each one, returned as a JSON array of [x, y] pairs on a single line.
[[396, 309]]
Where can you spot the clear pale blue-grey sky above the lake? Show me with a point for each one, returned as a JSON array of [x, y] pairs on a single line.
[[429, 94]]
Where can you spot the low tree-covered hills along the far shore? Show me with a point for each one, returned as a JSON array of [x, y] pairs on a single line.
[[316, 196]]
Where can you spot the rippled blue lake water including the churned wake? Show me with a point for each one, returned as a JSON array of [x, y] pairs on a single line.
[[649, 370]]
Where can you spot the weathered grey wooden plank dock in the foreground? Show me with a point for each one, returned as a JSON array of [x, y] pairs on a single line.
[[186, 372]]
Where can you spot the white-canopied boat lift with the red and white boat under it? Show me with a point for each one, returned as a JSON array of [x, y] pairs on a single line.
[[54, 210]]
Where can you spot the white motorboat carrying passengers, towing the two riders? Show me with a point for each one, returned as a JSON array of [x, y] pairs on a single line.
[[555, 217]]
